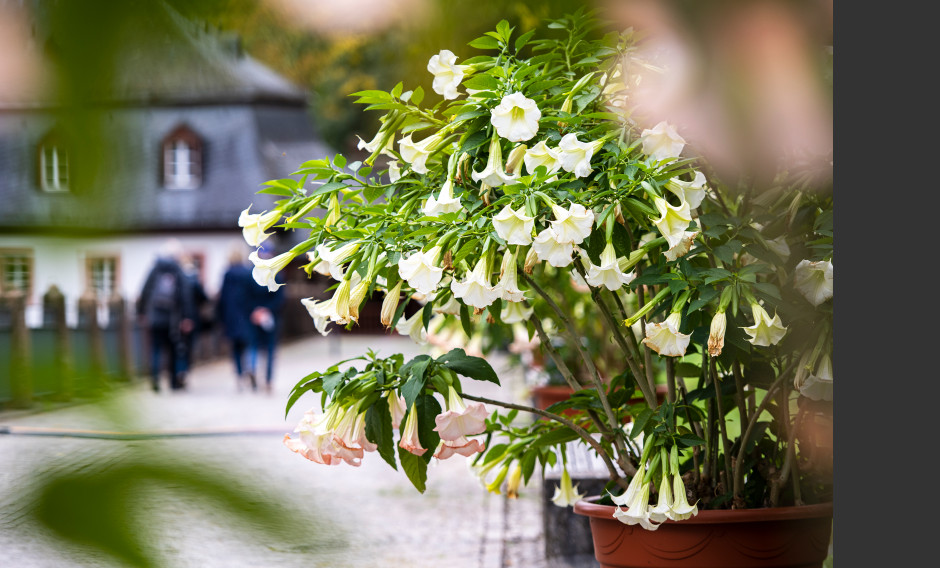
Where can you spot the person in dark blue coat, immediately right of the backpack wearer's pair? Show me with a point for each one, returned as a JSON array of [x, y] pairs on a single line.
[[237, 299]]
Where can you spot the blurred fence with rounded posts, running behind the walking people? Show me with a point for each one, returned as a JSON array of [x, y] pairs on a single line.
[[56, 361]]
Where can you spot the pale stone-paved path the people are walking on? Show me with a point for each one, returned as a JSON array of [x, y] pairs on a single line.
[[369, 516]]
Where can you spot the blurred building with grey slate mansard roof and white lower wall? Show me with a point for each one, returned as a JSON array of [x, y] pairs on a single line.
[[195, 127]]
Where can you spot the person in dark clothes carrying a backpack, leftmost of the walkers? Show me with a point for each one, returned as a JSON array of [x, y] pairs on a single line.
[[164, 308]]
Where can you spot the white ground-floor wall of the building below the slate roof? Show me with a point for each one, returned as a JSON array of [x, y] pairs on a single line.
[[61, 261]]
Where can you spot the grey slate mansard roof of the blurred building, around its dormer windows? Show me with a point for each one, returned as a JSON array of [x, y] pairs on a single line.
[[253, 124]]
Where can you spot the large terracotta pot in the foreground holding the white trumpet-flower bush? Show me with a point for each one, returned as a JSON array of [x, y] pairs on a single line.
[[780, 537]]
